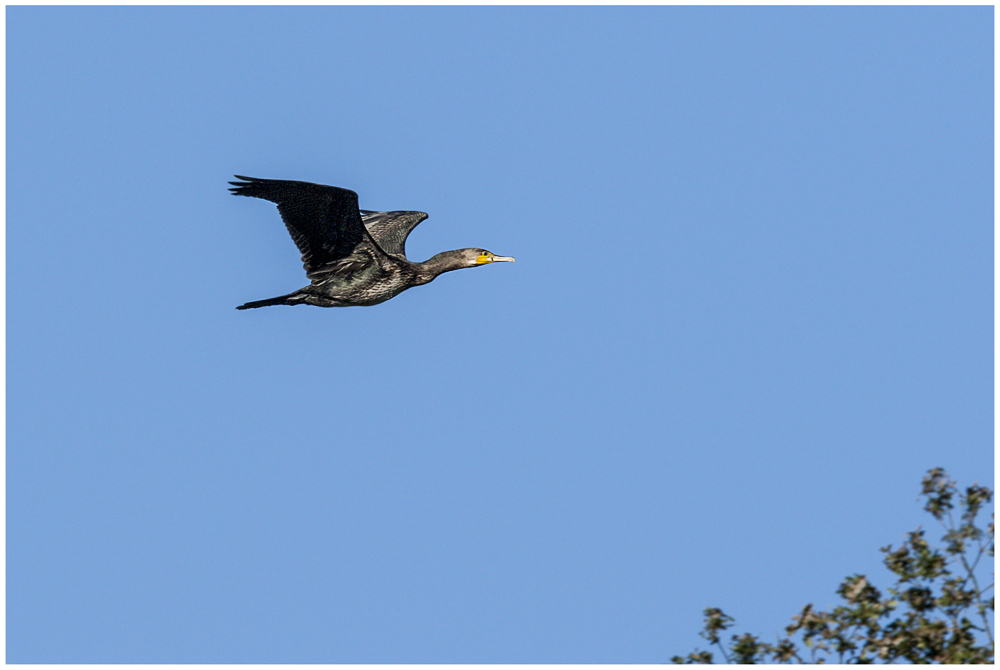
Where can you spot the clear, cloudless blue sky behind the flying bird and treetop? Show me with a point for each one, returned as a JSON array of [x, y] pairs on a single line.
[[752, 305]]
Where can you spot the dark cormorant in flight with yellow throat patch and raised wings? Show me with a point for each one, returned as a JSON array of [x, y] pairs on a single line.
[[352, 256]]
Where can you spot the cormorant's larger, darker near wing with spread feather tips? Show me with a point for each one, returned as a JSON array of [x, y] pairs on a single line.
[[324, 221]]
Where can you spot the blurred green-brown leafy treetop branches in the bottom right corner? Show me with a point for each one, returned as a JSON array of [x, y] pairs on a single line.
[[937, 612]]
